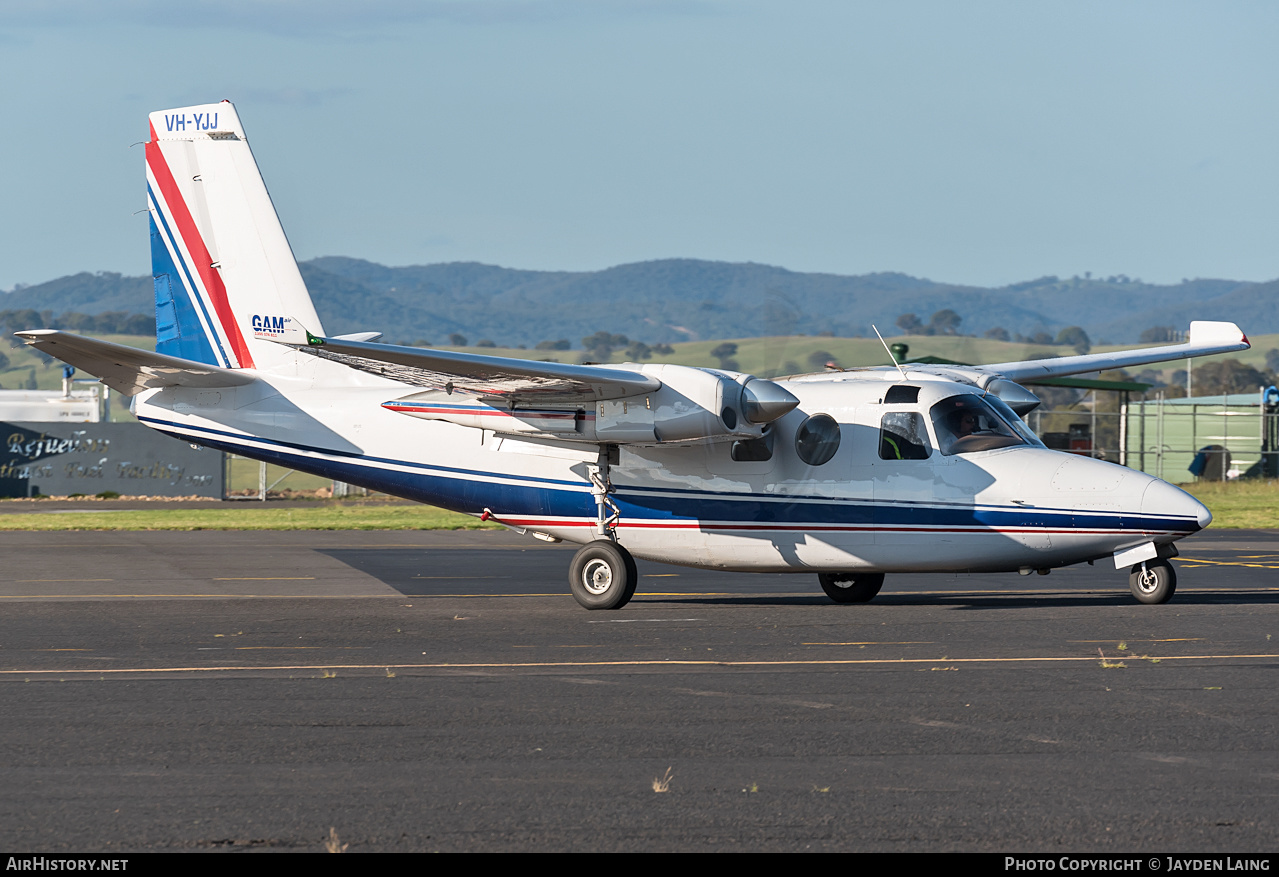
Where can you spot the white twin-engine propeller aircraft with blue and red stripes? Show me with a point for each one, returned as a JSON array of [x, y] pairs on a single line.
[[849, 475]]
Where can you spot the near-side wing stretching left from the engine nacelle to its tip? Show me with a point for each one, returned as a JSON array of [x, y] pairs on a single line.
[[489, 378]]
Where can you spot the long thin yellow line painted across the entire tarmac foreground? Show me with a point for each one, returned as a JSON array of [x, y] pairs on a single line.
[[535, 665]]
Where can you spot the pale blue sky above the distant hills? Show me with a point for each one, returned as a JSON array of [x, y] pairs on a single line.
[[966, 143]]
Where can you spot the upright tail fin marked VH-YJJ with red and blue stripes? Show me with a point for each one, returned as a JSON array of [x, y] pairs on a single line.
[[226, 278]]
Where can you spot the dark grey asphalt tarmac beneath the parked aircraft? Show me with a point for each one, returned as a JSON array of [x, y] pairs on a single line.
[[441, 691]]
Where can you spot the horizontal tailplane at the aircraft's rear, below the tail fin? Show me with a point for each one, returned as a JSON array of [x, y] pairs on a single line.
[[129, 370]]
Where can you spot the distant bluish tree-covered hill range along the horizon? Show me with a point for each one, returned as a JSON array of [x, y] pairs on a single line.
[[680, 301]]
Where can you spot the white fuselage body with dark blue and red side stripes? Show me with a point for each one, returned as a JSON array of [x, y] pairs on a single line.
[[690, 503]]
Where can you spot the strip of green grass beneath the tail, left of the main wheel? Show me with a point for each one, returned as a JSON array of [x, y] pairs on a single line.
[[324, 516]]
